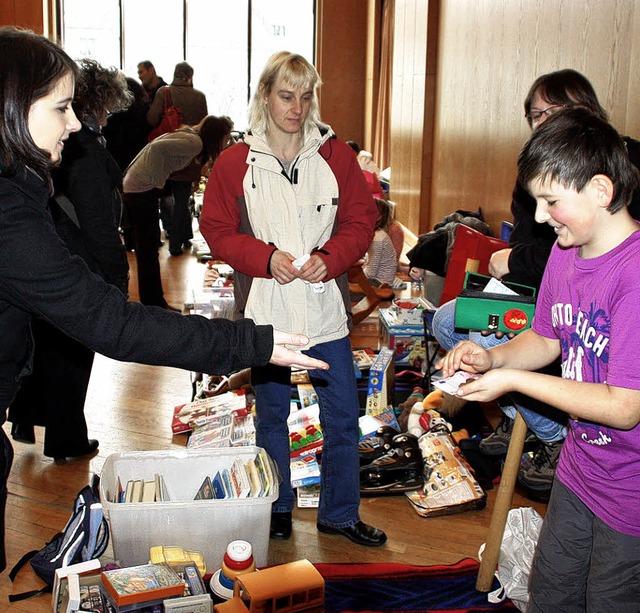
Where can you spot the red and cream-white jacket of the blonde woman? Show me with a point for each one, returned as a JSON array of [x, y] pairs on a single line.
[[322, 205]]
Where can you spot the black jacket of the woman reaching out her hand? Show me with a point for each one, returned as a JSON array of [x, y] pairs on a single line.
[[39, 277]]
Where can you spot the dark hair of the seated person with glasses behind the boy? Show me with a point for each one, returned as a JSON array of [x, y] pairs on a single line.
[[565, 88]]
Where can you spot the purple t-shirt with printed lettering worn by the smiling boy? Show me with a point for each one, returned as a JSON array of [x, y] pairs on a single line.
[[593, 307]]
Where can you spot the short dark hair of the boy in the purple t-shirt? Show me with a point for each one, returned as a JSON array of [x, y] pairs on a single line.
[[573, 146]]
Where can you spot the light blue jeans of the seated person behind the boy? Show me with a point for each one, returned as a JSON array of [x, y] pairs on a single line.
[[548, 428]]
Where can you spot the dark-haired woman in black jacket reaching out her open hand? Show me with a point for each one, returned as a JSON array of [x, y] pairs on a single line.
[[40, 278]]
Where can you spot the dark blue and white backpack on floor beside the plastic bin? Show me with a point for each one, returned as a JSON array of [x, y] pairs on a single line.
[[85, 537]]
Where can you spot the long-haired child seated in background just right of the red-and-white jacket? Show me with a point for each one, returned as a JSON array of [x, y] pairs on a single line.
[[381, 260]]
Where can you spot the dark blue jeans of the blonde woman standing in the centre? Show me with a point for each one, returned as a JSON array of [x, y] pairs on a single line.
[[339, 411]]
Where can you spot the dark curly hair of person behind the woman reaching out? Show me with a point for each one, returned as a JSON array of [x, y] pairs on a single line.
[[100, 90]]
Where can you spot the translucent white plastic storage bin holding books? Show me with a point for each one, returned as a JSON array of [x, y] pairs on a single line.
[[203, 525]]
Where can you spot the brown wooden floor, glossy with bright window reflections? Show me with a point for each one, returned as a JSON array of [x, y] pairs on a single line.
[[129, 407]]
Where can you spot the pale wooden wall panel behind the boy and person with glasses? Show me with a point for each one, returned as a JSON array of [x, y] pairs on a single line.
[[489, 54]]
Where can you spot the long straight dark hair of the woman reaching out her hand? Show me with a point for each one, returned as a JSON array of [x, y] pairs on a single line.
[[30, 68]]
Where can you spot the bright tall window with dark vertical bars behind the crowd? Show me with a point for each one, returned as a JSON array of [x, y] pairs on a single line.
[[227, 43]]
